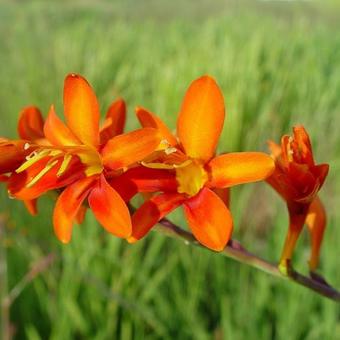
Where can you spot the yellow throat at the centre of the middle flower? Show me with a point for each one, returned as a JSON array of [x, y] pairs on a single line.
[[191, 178]]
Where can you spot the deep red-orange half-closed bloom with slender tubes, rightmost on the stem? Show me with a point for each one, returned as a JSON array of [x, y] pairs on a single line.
[[297, 179]]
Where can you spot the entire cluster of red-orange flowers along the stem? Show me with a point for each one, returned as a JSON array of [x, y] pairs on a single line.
[[98, 166]]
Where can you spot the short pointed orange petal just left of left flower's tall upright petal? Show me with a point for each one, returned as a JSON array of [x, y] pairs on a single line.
[[57, 132]]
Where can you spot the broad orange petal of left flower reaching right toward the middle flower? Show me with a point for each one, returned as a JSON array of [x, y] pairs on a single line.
[[129, 148]]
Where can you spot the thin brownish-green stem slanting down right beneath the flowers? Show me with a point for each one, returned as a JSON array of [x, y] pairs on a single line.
[[235, 251]]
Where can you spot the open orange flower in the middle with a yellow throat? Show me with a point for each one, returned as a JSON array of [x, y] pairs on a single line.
[[192, 162]]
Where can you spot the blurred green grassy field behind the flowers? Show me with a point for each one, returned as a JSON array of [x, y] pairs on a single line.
[[277, 64]]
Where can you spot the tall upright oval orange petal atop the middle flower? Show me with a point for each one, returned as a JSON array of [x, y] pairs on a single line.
[[201, 118]]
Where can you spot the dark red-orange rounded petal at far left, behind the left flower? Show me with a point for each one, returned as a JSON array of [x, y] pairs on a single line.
[[30, 125]]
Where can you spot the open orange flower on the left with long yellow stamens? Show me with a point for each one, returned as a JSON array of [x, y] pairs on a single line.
[[81, 156]]
